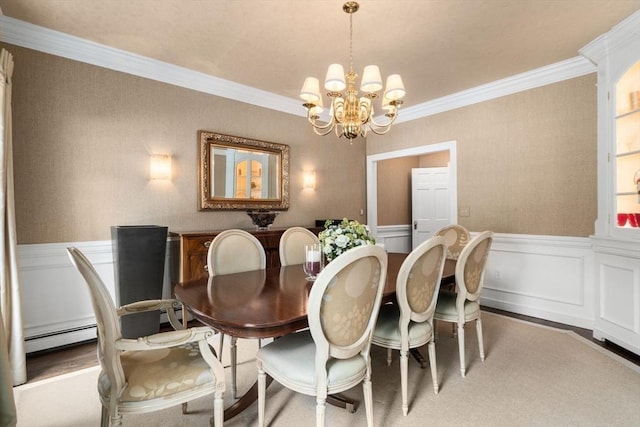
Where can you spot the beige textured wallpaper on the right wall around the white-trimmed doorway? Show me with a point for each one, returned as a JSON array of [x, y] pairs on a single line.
[[526, 162]]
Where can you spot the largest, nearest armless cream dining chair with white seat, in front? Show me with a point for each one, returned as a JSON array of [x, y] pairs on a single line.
[[333, 354]]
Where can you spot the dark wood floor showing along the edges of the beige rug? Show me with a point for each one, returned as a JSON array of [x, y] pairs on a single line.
[[53, 362]]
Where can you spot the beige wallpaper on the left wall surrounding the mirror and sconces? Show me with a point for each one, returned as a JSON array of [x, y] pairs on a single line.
[[83, 136]]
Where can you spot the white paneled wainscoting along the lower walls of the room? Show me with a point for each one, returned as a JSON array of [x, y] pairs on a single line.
[[541, 276]]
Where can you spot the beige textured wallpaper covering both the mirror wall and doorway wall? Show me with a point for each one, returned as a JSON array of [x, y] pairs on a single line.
[[83, 134]]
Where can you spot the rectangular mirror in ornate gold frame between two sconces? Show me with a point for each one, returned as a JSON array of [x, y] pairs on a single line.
[[238, 173]]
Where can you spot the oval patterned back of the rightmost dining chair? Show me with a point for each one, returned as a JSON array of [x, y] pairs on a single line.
[[470, 266]]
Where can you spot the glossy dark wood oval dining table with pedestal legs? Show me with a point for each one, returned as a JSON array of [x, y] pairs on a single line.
[[268, 303]]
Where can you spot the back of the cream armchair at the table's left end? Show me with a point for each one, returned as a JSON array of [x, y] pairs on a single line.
[[108, 326]]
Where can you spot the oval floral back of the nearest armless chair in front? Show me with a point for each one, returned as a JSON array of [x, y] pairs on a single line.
[[344, 302]]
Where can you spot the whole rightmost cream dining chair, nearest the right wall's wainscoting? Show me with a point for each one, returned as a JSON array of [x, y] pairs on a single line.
[[464, 305]]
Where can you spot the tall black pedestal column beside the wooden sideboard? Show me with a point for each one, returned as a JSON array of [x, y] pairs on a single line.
[[139, 256]]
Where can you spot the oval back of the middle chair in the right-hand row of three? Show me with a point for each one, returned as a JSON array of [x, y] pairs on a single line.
[[418, 281]]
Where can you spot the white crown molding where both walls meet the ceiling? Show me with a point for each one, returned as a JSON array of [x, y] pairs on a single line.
[[44, 40]]
